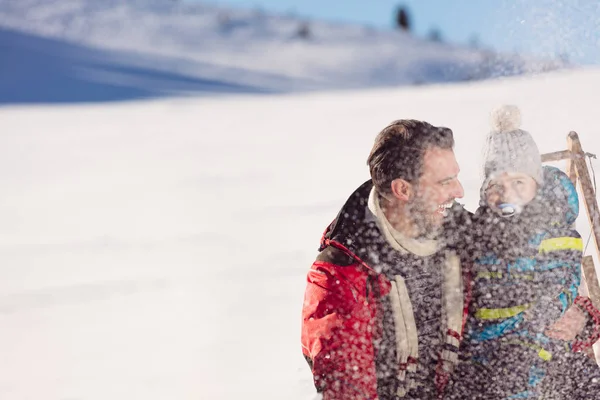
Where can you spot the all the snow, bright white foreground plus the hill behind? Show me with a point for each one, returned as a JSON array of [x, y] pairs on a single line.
[[157, 248]]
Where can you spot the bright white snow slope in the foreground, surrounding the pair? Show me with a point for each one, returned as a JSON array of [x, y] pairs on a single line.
[[158, 250]]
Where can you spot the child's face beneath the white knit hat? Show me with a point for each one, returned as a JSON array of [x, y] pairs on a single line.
[[512, 188]]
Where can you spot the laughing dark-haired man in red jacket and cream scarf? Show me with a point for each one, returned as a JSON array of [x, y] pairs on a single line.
[[383, 309]]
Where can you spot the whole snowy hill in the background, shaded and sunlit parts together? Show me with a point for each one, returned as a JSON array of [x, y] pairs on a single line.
[[111, 50]]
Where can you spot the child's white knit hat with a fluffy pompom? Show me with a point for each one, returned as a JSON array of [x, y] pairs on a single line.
[[510, 149]]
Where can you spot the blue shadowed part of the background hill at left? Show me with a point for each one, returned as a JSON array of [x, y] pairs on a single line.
[[39, 69]]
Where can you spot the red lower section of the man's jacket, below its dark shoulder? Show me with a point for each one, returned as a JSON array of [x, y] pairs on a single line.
[[339, 325]]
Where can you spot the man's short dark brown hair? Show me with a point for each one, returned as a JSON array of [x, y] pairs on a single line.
[[399, 150]]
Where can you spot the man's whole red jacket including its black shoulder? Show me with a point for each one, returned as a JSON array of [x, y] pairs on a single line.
[[341, 311]]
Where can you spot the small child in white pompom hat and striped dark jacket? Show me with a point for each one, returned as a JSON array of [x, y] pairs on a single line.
[[526, 274]]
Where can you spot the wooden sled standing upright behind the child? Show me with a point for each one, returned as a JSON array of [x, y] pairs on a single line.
[[578, 173]]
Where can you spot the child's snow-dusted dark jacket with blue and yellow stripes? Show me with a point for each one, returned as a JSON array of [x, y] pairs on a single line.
[[526, 272]]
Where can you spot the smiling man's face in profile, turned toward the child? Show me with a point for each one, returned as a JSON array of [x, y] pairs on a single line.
[[436, 189]]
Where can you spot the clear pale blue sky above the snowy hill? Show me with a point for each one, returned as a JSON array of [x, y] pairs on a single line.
[[541, 27]]
